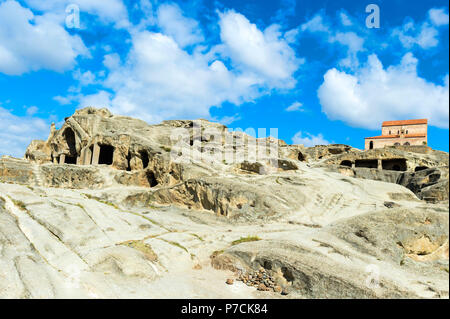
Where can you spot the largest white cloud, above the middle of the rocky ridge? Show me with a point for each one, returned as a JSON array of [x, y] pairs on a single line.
[[159, 79]]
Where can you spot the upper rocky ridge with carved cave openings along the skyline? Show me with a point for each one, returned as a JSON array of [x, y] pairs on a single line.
[[175, 151]]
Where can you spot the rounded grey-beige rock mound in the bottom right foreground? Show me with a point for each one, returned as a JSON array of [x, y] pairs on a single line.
[[367, 256]]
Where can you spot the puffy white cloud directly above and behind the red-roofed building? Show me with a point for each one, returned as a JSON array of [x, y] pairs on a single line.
[[374, 94]]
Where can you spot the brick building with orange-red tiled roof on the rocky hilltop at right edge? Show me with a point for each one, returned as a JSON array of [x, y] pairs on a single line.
[[408, 132]]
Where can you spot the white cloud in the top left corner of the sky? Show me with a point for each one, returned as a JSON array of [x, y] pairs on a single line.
[[31, 42]]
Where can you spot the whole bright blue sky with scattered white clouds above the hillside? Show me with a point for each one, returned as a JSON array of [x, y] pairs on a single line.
[[312, 69]]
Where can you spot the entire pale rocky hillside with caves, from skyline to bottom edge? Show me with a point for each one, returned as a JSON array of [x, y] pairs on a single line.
[[110, 206]]
